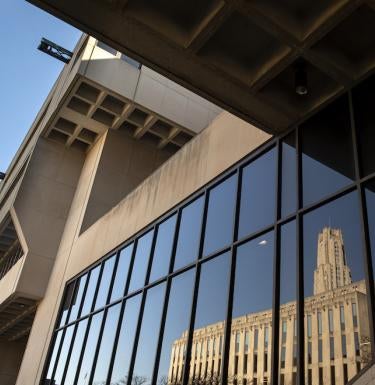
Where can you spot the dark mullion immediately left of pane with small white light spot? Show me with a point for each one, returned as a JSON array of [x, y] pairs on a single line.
[[231, 281]]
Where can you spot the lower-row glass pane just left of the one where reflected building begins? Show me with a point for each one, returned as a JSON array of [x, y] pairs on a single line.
[[148, 337]]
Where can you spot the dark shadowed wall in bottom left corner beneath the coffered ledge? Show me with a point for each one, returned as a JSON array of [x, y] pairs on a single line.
[[11, 354]]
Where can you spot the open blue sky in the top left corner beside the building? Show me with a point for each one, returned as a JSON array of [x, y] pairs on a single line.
[[26, 74]]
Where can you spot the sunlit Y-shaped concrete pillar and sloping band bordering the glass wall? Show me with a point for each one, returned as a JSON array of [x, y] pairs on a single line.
[[226, 141]]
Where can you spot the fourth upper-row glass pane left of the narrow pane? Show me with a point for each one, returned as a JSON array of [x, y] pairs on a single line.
[[163, 248]]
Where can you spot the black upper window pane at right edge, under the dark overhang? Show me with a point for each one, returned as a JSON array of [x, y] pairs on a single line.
[[363, 103]]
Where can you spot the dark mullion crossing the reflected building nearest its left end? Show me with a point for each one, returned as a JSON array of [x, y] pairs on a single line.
[[189, 340]]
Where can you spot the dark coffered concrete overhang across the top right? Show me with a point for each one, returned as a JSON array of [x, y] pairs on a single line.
[[240, 54]]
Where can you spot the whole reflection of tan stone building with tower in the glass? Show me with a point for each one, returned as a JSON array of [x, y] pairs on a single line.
[[337, 333]]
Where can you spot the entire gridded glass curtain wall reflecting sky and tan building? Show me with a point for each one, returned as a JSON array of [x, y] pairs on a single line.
[[263, 276]]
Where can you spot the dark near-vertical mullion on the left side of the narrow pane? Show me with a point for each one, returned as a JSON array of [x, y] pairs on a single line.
[[276, 271]]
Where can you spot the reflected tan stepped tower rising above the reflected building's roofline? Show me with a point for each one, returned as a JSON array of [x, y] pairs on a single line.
[[331, 270]]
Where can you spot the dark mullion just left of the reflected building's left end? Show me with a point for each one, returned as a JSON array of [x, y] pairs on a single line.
[[166, 299]]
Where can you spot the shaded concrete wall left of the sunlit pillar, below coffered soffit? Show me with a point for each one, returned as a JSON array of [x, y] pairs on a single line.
[[41, 208]]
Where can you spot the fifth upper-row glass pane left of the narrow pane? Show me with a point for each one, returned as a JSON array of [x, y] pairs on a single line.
[[142, 256]]
